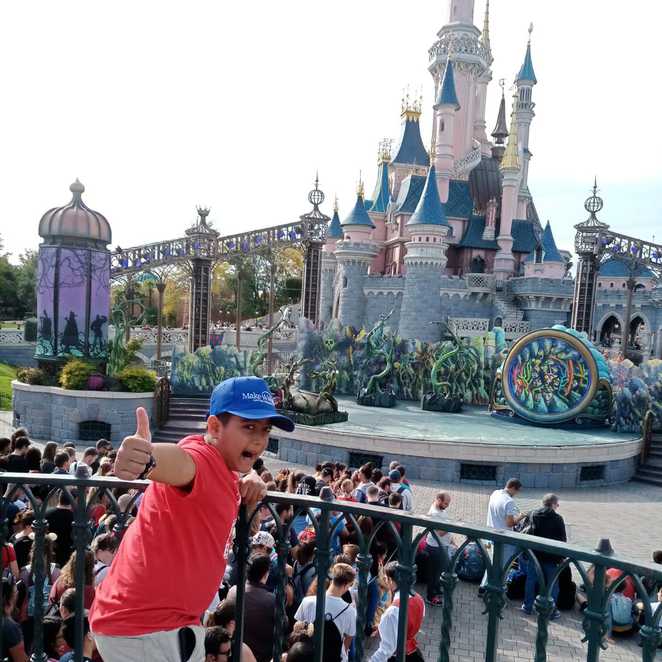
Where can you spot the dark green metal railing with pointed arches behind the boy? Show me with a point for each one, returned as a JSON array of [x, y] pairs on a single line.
[[325, 517]]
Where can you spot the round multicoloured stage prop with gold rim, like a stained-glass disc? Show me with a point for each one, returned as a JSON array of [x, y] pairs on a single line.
[[549, 377]]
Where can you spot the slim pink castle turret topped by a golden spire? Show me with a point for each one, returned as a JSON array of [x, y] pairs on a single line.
[[504, 261]]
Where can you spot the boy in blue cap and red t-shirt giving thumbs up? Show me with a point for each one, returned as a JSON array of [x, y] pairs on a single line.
[[144, 610]]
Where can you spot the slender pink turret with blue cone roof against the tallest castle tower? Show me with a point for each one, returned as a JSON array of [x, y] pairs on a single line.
[[445, 108]]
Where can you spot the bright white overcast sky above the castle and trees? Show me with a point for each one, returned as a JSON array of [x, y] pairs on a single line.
[[158, 106]]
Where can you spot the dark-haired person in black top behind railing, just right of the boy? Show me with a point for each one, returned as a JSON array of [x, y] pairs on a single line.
[[259, 608]]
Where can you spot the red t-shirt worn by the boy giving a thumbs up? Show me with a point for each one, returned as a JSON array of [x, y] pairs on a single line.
[[172, 558]]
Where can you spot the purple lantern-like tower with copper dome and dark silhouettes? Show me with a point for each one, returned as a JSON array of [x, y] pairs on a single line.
[[73, 282]]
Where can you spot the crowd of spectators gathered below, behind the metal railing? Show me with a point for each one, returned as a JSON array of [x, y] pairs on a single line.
[[264, 579]]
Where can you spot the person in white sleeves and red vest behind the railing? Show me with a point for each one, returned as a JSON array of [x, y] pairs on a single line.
[[388, 625]]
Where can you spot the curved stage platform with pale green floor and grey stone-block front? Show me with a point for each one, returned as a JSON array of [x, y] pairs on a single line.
[[471, 445]]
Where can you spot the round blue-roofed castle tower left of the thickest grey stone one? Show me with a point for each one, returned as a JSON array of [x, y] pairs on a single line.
[[354, 255]]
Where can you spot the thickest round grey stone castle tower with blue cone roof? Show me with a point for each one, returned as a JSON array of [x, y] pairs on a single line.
[[425, 261]]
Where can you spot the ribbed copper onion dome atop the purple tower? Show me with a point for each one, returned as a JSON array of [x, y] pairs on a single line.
[[75, 222]]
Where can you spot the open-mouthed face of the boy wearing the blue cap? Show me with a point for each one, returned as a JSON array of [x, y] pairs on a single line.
[[240, 441]]
